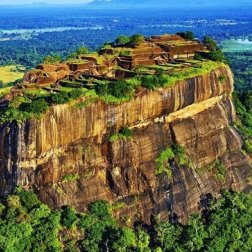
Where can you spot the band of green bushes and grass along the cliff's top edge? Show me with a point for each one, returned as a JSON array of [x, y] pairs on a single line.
[[115, 92]]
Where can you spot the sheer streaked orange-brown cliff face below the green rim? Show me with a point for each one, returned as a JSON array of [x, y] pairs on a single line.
[[67, 158]]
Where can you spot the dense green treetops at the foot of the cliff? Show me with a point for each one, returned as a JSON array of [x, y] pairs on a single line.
[[26, 224]]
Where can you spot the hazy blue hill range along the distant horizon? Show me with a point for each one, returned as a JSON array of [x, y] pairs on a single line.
[[162, 3]]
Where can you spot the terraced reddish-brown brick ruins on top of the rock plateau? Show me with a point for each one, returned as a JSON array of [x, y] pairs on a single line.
[[112, 62]]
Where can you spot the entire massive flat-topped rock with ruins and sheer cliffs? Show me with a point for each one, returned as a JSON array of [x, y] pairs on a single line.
[[145, 123]]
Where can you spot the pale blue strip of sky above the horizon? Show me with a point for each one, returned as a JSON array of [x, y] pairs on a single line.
[[14, 2]]
